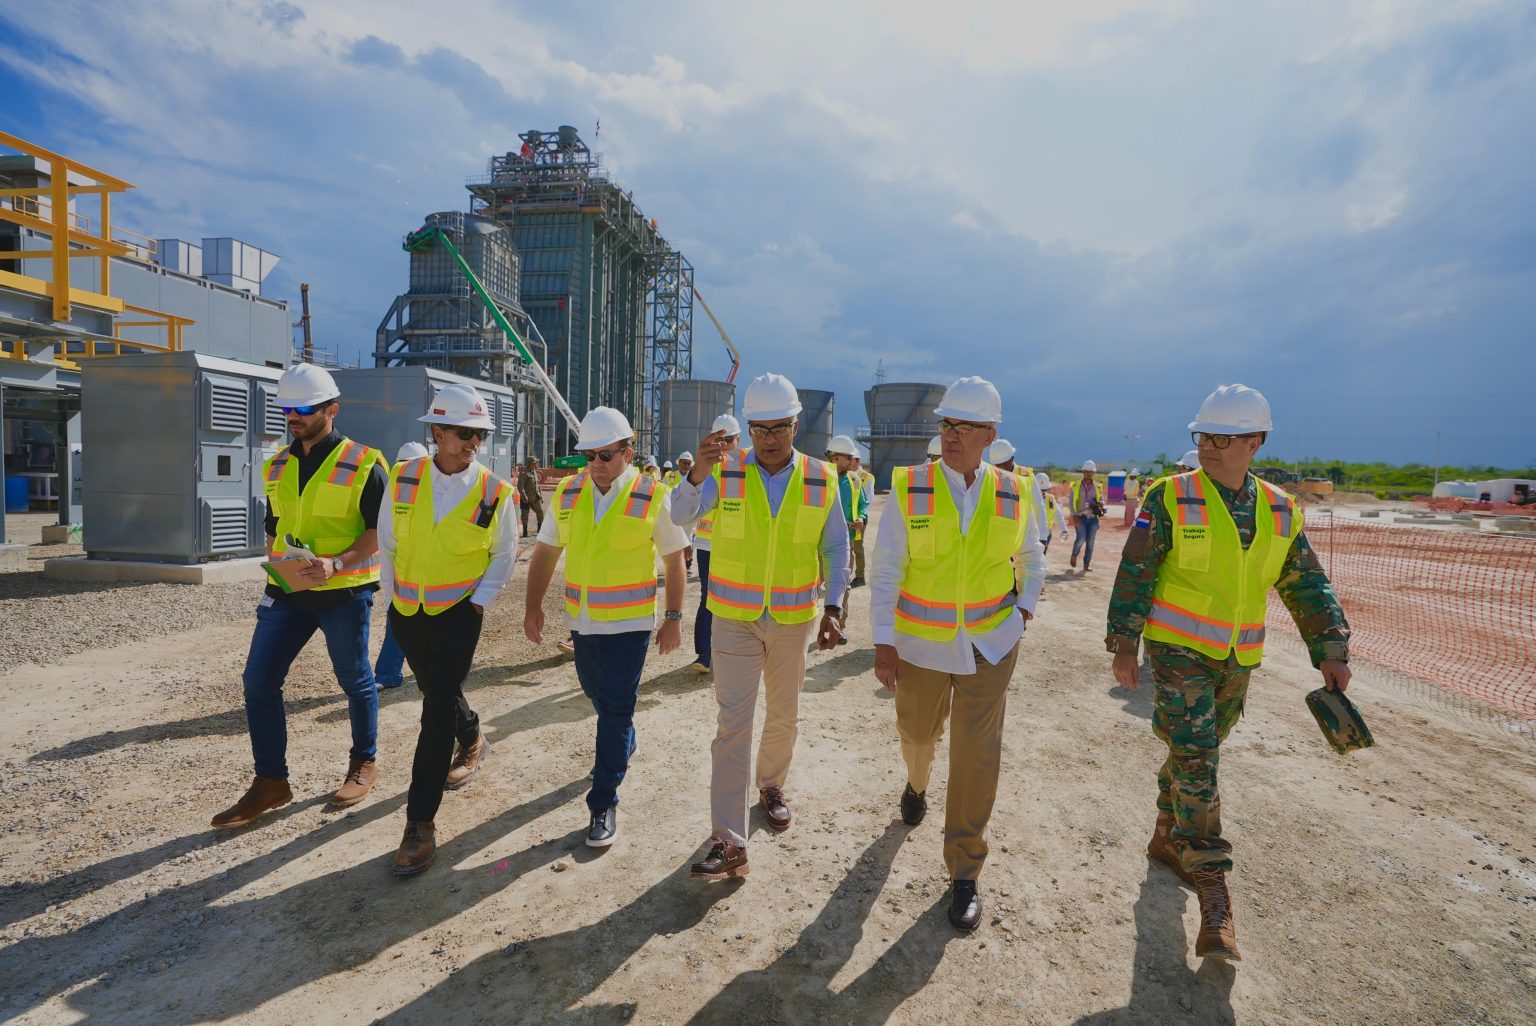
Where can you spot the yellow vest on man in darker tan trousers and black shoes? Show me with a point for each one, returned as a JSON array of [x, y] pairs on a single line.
[[955, 578]]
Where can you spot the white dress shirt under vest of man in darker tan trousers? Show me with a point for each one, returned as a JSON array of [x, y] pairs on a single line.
[[956, 655]]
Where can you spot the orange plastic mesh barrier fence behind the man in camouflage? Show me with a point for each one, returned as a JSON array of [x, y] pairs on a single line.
[[1451, 606]]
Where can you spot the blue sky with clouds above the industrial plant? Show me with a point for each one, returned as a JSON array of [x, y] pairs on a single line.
[[1107, 208]]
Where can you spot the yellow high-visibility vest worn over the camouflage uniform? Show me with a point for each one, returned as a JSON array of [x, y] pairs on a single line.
[[1211, 594]]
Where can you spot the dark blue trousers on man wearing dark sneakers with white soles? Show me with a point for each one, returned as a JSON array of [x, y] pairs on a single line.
[[609, 669]]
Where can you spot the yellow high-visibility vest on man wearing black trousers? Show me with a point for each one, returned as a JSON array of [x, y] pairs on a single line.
[[440, 563]]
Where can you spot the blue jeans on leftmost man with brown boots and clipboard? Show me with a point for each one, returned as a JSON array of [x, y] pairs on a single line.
[[282, 634]]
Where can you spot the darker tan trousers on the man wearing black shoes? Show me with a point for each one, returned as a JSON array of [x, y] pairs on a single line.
[[975, 704]]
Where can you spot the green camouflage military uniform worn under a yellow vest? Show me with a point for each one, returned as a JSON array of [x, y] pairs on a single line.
[[1200, 700]]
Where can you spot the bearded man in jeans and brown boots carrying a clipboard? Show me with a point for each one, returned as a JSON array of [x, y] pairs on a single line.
[[323, 498]]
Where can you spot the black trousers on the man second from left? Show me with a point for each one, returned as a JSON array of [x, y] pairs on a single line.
[[440, 650]]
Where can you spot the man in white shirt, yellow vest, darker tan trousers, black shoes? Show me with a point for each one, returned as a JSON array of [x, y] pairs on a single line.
[[948, 617]]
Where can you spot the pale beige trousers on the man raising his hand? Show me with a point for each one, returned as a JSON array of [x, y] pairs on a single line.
[[746, 654]]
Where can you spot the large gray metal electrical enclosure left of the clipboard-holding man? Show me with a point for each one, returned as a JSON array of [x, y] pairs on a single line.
[[173, 457]]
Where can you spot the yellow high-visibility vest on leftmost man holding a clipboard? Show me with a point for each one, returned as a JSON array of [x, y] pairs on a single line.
[[328, 515]]
